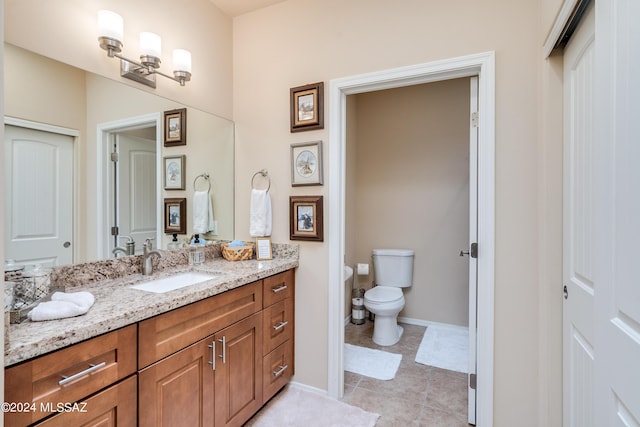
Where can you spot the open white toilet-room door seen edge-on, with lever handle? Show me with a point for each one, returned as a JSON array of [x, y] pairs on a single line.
[[473, 239]]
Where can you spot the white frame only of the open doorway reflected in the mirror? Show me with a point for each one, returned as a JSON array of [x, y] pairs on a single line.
[[103, 163]]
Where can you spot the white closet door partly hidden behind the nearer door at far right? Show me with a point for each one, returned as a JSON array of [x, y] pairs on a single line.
[[579, 285]]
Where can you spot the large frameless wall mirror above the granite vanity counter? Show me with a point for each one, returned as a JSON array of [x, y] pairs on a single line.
[[84, 190]]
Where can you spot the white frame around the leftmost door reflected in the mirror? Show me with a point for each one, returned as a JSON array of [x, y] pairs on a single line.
[[75, 134]]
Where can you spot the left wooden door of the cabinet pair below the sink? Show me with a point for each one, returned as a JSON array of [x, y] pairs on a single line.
[[178, 390]]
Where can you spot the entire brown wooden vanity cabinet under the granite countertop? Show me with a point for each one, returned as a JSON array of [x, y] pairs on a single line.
[[213, 362]]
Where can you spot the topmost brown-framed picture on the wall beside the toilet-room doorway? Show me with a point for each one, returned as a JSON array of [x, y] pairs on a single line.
[[307, 107]]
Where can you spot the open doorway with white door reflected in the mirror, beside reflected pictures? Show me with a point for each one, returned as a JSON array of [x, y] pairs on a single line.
[[130, 194]]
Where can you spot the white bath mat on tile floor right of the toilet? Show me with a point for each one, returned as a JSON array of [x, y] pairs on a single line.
[[445, 347]]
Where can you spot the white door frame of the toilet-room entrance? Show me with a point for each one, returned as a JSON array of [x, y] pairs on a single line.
[[481, 65]]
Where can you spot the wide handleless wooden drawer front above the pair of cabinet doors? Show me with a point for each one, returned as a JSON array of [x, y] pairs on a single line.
[[167, 333]]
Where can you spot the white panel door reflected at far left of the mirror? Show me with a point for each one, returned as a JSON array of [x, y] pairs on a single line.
[[38, 196]]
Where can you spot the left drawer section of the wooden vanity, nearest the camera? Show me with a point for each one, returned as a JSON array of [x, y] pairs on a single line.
[[69, 376]]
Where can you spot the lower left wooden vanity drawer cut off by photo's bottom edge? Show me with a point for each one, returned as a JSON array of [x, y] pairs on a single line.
[[114, 406]]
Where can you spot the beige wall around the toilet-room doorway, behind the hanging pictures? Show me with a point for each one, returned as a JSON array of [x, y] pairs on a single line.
[[304, 41]]
